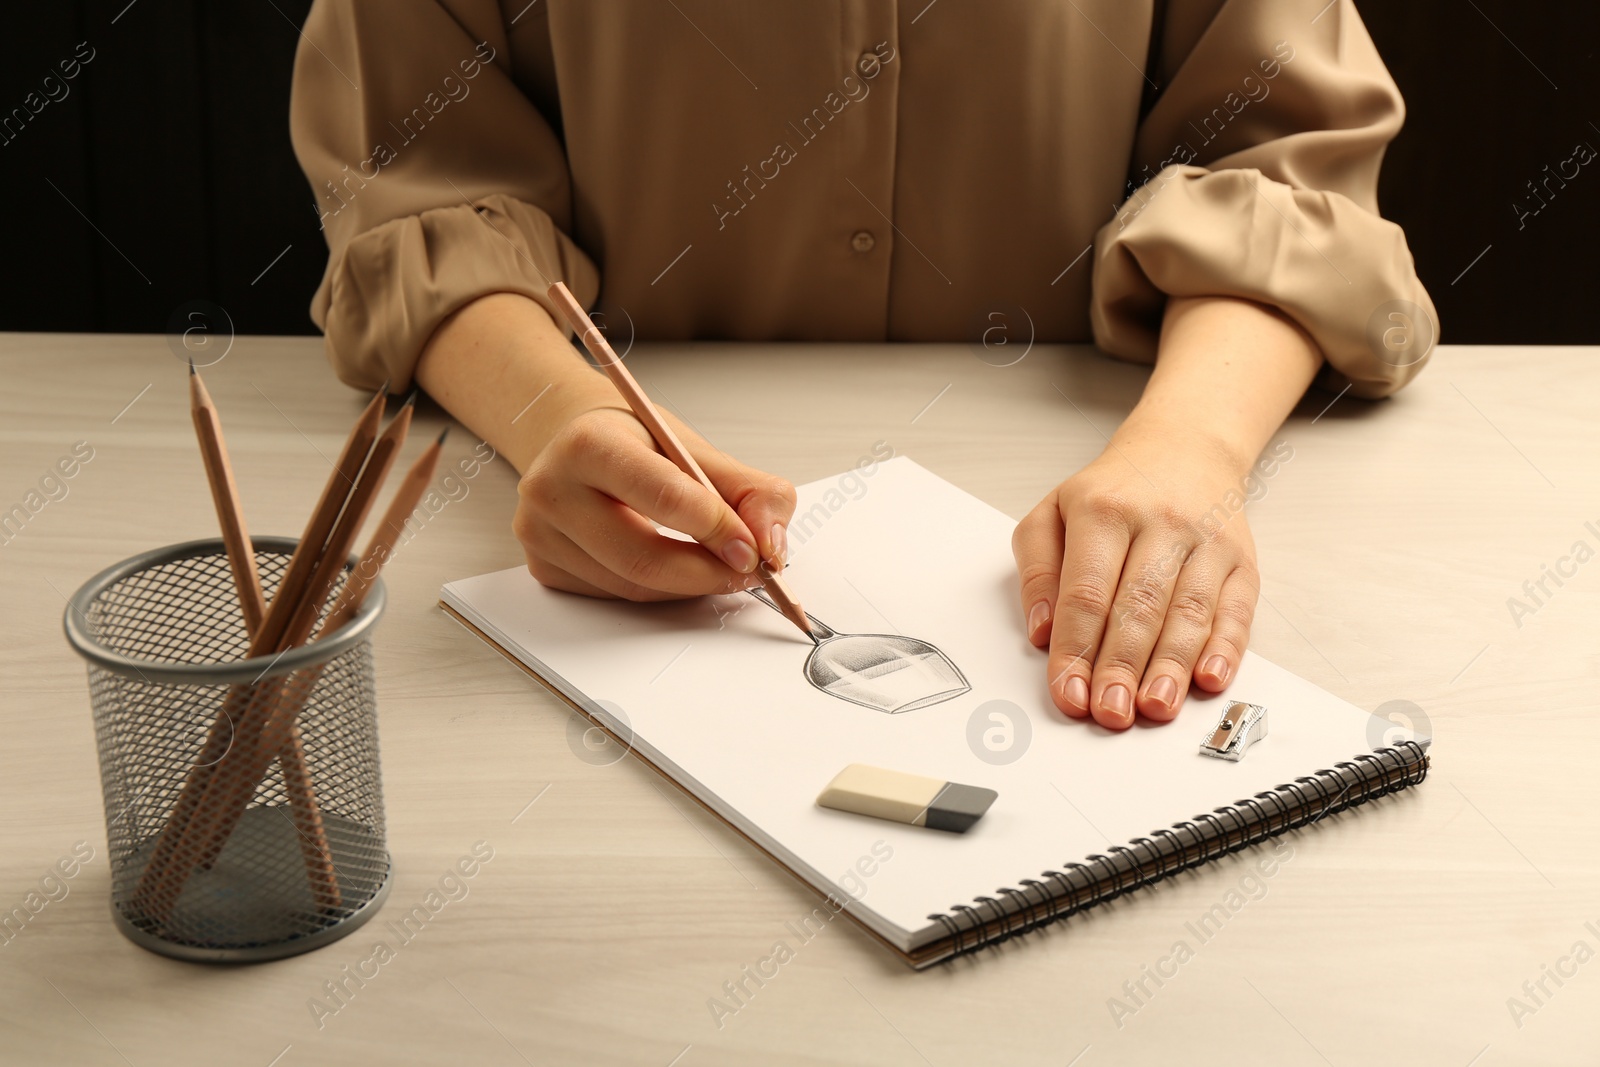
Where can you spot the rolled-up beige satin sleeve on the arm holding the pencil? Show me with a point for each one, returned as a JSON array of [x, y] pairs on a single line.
[[436, 178]]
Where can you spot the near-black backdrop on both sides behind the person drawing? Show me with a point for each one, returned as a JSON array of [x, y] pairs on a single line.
[[167, 177]]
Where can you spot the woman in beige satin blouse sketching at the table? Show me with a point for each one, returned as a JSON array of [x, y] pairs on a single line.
[[1186, 183]]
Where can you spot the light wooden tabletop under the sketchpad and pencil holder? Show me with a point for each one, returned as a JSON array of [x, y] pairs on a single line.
[[614, 908]]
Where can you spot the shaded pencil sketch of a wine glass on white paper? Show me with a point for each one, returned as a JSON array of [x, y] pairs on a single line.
[[886, 673]]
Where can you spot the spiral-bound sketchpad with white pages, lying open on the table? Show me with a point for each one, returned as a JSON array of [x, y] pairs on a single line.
[[751, 719]]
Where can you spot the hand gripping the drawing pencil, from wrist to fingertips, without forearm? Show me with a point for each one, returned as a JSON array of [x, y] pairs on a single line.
[[590, 502]]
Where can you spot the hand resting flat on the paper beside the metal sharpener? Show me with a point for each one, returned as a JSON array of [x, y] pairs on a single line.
[[1140, 575]]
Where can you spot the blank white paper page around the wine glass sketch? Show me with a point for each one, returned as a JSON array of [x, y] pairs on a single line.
[[716, 695]]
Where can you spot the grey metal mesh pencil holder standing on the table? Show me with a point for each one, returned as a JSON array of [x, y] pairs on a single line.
[[244, 805]]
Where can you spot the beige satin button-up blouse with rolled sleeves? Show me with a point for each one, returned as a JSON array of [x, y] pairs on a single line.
[[860, 170]]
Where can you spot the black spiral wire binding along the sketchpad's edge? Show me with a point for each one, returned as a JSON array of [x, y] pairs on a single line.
[[991, 921]]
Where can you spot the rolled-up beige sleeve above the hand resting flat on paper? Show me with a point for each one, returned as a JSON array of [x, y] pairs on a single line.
[[1260, 182]]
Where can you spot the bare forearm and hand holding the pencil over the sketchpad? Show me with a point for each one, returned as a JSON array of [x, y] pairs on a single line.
[[593, 482]]
